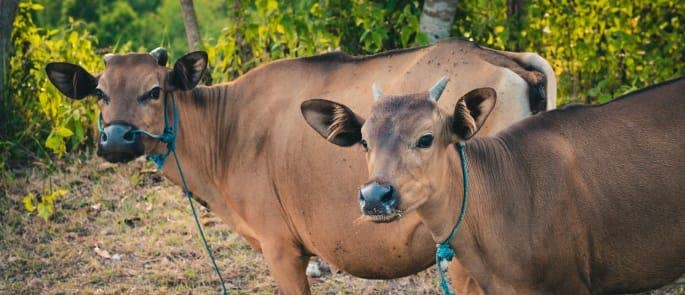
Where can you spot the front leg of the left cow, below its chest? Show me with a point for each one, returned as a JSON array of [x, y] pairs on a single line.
[[287, 265]]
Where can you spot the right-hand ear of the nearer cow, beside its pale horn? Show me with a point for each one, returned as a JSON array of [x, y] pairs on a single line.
[[471, 111]]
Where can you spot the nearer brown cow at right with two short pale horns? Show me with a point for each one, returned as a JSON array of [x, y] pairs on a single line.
[[584, 200]]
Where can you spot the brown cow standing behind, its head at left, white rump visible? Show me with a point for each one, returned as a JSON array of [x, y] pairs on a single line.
[[285, 191]]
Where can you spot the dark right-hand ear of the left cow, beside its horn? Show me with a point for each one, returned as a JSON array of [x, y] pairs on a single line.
[[188, 71]]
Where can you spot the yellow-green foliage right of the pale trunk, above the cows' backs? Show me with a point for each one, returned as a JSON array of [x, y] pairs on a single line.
[[599, 49]]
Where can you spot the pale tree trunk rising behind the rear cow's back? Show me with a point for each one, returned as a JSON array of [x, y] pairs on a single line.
[[436, 18]]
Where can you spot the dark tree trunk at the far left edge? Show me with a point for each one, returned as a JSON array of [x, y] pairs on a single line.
[[8, 10]]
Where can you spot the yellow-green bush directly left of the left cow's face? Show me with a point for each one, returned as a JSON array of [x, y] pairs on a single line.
[[38, 115]]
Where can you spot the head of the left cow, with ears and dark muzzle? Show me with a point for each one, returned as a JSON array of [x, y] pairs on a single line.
[[131, 93]]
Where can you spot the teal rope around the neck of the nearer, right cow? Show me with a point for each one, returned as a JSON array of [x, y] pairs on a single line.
[[444, 252]]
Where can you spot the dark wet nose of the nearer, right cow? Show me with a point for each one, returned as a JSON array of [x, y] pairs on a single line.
[[376, 198]]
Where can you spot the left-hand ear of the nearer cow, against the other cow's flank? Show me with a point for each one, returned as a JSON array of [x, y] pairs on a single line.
[[335, 122]]
